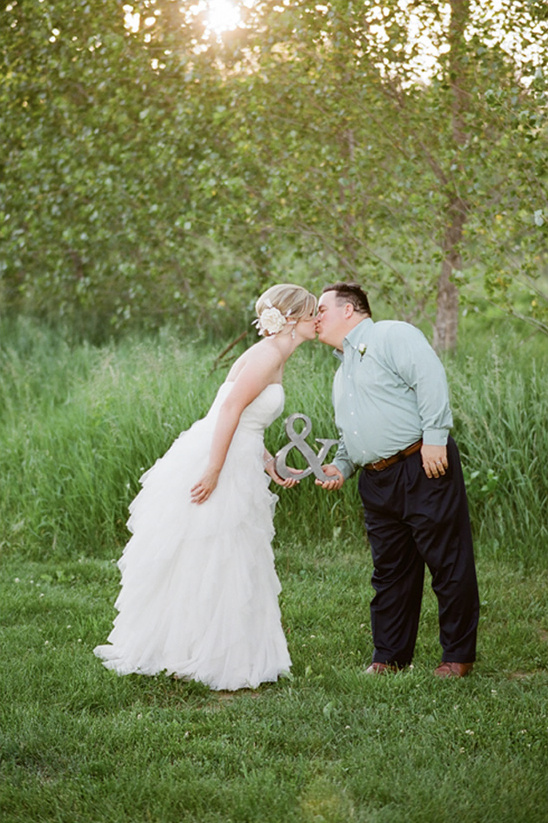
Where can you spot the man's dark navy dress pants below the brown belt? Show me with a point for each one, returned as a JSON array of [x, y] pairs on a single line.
[[413, 521]]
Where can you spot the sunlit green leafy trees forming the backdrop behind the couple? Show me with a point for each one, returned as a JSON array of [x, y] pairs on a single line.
[[153, 169]]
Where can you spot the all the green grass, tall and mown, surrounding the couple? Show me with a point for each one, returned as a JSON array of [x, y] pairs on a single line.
[[78, 424]]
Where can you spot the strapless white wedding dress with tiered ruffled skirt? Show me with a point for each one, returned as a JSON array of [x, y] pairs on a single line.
[[199, 596]]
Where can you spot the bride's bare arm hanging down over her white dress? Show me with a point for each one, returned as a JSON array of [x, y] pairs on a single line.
[[258, 372]]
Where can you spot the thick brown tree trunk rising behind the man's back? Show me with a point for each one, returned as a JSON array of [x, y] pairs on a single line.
[[447, 314]]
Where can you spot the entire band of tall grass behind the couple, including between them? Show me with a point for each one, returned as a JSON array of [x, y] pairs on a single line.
[[79, 424]]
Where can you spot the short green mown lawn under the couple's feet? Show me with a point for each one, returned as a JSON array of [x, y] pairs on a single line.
[[331, 744]]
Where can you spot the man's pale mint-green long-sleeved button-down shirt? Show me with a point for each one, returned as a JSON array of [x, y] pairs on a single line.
[[389, 391]]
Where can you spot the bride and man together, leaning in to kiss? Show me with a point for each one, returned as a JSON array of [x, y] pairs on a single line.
[[199, 589]]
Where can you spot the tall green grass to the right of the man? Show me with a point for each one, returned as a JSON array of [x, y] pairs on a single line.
[[500, 398]]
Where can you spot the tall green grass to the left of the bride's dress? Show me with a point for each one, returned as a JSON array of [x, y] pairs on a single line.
[[79, 424]]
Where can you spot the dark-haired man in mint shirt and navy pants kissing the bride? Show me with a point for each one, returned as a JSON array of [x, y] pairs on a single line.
[[392, 409]]
